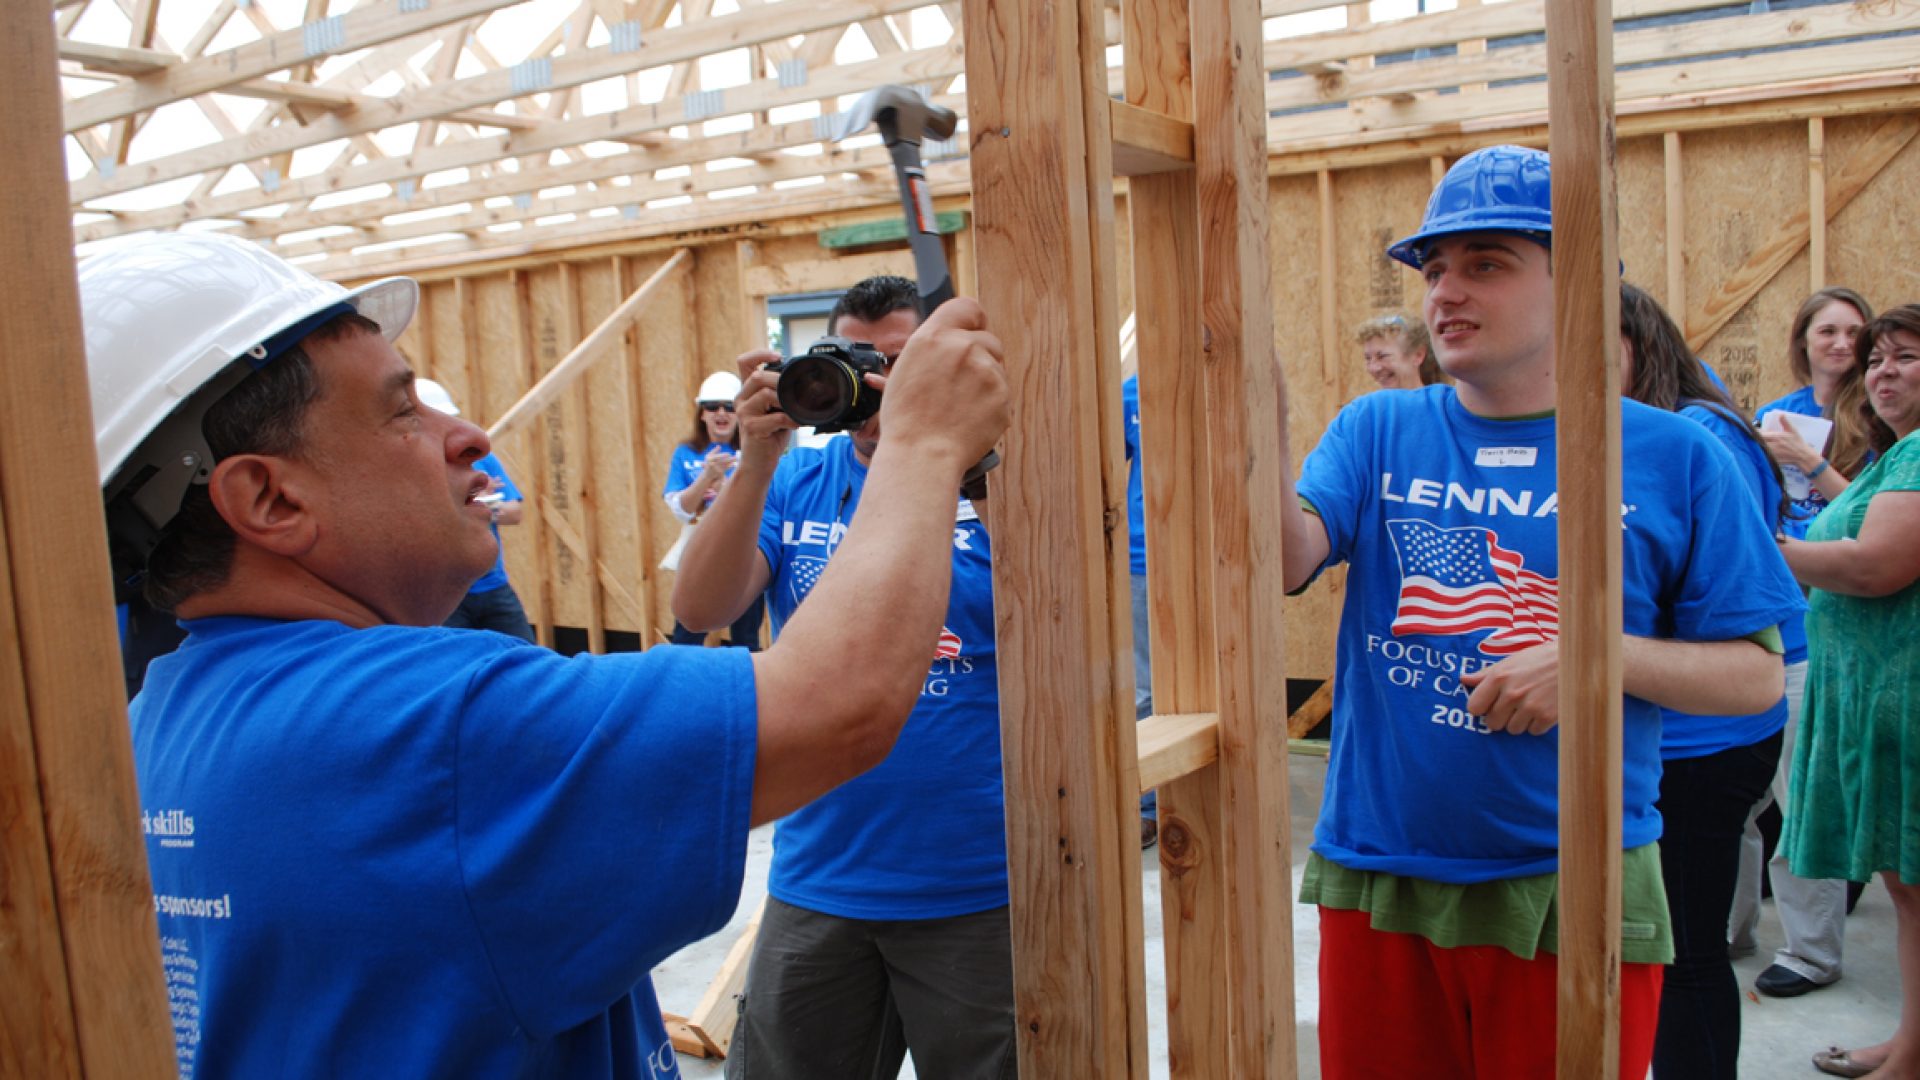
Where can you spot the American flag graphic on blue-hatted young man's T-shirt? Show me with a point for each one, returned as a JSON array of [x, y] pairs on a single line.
[[1460, 581]]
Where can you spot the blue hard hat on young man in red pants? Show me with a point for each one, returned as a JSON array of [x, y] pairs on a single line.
[[1500, 189]]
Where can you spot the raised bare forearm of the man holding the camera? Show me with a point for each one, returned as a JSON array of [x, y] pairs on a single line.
[[717, 576]]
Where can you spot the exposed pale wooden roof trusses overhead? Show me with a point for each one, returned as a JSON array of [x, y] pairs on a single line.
[[379, 132]]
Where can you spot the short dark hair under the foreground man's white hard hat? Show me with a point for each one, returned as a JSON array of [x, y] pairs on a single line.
[[264, 414]]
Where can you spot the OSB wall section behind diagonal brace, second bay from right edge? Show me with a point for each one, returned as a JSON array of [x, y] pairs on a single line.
[[1740, 187]]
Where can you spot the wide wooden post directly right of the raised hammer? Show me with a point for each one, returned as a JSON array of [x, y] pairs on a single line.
[[1044, 195]]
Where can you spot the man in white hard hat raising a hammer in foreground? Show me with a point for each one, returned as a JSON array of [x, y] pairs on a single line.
[[385, 848]]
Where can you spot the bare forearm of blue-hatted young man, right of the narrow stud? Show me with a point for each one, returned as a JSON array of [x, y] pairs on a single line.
[[1717, 679]]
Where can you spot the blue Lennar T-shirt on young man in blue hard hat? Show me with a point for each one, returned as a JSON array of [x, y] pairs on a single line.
[[1449, 522]]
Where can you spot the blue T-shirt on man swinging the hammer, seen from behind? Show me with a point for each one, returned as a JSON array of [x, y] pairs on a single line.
[[421, 852]]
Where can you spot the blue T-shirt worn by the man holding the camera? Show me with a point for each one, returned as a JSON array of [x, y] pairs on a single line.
[[923, 835]]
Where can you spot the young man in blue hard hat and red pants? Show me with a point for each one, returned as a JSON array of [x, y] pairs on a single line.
[[1435, 858]]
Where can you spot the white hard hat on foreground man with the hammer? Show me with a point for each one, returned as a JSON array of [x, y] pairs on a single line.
[[174, 324]]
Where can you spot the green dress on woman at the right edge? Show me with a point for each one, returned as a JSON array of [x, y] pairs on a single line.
[[1856, 779]]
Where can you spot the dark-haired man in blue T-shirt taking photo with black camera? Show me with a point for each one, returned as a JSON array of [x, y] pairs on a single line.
[[888, 925]]
